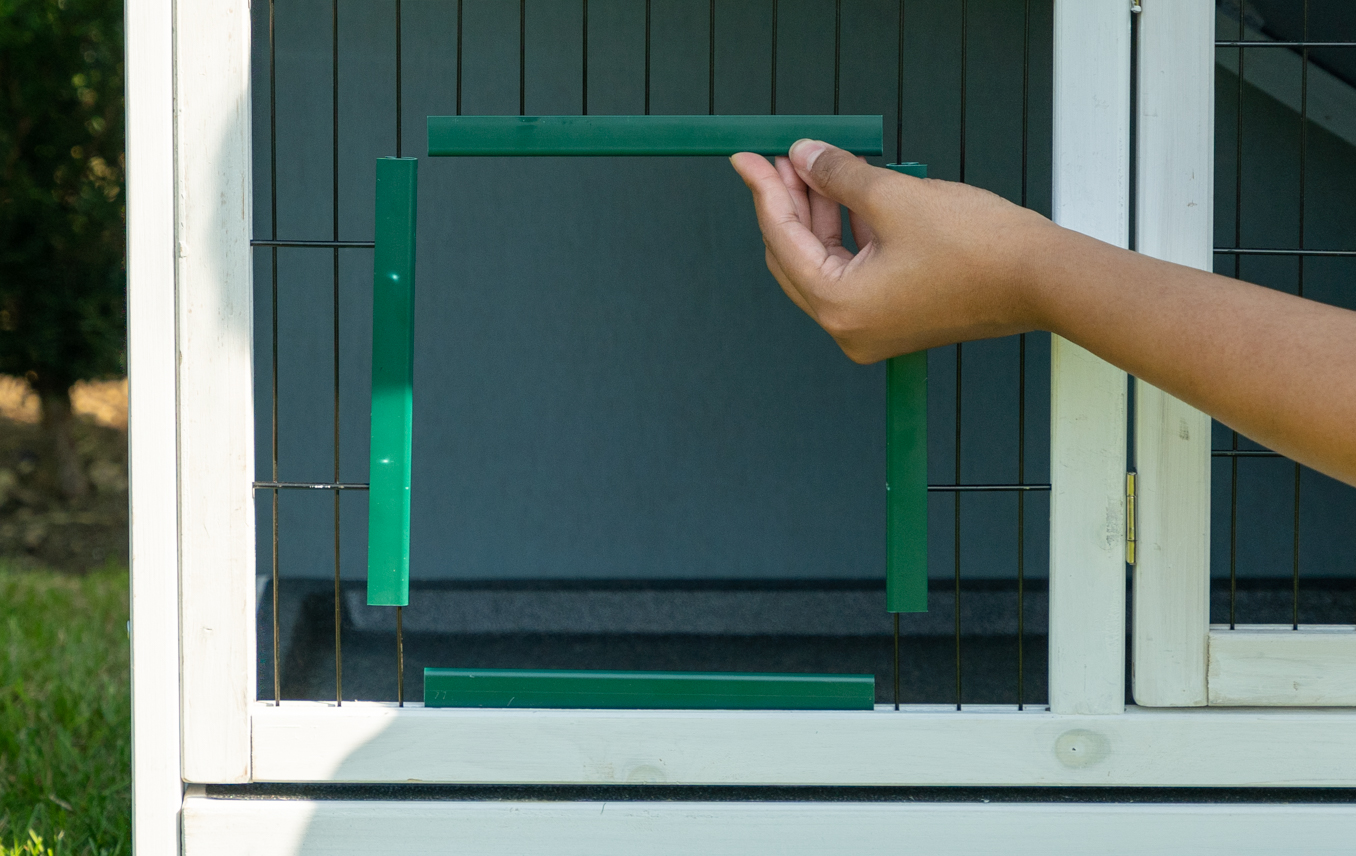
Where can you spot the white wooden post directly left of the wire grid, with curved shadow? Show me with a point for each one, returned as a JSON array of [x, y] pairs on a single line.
[[216, 419]]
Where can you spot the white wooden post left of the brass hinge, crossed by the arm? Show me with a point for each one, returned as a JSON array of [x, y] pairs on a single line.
[[1088, 395]]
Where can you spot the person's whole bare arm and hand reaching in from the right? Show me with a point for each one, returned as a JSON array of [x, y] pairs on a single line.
[[943, 264]]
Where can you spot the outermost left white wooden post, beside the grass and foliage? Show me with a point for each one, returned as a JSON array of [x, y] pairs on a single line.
[[157, 787]]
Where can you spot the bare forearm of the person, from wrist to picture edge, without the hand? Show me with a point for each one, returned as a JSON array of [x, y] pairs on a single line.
[[1271, 366]]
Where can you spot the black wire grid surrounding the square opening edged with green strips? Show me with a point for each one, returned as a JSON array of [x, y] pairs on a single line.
[[273, 244]]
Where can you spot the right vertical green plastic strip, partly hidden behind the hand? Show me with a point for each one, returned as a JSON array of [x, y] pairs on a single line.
[[906, 471]]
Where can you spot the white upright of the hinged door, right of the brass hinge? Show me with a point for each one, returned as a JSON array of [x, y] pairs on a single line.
[[1175, 222]]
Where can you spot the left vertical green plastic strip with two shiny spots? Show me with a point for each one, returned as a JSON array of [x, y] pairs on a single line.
[[393, 383]]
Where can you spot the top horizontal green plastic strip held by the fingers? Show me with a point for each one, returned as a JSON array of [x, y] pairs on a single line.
[[536, 136]]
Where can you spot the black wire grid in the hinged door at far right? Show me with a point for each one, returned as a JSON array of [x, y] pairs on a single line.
[[1239, 253]]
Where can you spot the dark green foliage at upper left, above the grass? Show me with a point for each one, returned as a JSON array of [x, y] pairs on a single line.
[[63, 280]]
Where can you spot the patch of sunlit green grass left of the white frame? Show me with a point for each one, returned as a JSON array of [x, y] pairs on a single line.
[[66, 714]]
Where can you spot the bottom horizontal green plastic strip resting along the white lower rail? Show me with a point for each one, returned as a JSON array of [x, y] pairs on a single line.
[[707, 691]]
